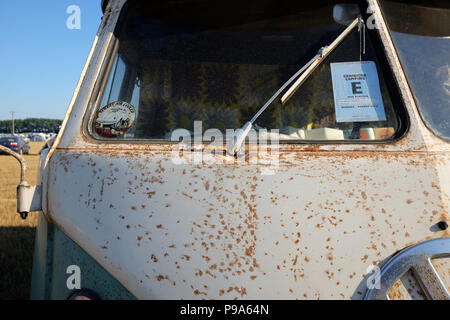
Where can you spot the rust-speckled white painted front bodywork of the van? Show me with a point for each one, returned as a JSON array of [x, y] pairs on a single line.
[[225, 231]]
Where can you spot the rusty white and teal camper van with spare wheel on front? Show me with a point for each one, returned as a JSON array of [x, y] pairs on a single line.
[[336, 185]]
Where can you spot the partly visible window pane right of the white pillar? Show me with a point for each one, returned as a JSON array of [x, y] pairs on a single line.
[[421, 34]]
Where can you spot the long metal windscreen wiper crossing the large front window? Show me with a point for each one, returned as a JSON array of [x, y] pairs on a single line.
[[234, 145]]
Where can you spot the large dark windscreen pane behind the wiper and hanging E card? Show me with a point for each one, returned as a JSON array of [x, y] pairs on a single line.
[[219, 62]]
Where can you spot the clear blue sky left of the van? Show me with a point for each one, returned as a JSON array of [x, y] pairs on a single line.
[[40, 58]]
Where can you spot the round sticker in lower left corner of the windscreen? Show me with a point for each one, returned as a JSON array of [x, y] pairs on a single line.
[[114, 119]]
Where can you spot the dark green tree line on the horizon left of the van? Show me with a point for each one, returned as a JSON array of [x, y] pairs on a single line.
[[31, 125]]
